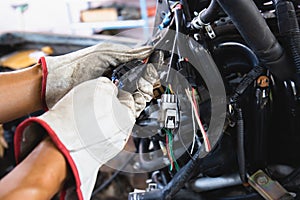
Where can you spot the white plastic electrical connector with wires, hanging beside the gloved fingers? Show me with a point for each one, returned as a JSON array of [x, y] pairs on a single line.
[[169, 115]]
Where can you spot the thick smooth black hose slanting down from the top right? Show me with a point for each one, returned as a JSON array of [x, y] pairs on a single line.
[[263, 42]]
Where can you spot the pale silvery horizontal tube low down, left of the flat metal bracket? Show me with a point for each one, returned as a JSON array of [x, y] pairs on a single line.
[[211, 183]]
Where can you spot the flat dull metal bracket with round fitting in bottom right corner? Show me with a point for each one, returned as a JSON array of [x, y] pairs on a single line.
[[267, 187]]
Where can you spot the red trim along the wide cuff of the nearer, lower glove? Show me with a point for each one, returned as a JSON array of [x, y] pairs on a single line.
[[19, 135]]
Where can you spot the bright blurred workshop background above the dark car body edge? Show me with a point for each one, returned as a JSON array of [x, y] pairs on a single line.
[[72, 17]]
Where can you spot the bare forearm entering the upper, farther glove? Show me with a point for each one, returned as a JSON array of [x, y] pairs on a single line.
[[20, 93]]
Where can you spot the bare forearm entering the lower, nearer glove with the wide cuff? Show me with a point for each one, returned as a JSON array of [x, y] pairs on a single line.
[[38, 177]]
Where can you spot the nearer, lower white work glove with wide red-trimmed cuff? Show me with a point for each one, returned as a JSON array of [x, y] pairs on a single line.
[[89, 125]]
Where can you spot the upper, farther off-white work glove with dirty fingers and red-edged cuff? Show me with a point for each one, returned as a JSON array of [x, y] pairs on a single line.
[[62, 73]]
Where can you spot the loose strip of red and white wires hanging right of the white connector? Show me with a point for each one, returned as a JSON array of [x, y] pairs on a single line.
[[192, 98]]
